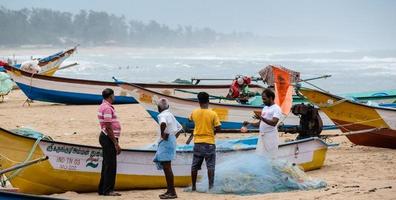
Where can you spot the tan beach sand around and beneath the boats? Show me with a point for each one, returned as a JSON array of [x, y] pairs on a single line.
[[351, 172]]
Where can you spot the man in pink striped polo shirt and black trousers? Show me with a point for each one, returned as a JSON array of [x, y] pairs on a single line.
[[108, 139]]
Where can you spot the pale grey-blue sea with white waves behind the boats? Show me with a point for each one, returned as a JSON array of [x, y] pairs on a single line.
[[351, 71]]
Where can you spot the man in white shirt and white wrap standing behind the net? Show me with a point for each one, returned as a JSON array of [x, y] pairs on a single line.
[[268, 139]]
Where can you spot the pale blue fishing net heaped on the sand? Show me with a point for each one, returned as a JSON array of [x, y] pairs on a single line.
[[254, 174]]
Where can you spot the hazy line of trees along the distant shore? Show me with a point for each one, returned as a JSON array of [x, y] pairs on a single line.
[[46, 26]]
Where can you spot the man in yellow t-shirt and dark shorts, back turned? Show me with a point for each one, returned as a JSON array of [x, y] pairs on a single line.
[[206, 124]]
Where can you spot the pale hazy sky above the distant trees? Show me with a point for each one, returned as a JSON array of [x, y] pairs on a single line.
[[370, 23]]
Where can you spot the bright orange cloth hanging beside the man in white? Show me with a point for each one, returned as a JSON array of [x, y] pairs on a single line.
[[283, 89]]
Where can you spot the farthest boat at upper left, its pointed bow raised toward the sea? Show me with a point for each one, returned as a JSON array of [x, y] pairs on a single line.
[[50, 64]]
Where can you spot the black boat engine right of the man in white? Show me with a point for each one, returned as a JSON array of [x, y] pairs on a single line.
[[311, 124]]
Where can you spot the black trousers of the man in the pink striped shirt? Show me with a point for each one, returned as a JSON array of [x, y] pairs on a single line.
[[109, 165]]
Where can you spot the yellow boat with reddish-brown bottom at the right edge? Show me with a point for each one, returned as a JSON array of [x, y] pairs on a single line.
[[363, 124]]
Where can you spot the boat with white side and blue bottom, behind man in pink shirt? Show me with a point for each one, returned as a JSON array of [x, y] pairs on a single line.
[[78, 91]]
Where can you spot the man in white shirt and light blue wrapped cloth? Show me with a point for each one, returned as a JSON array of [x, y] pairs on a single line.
[[166, 152]]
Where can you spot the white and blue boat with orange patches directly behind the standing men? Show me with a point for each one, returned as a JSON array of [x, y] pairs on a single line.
[[231, 115]]
